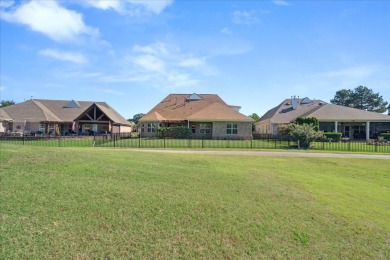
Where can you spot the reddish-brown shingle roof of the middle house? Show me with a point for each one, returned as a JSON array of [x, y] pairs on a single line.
[[193, 107]]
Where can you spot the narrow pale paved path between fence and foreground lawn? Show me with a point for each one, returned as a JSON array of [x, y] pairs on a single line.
[[270, 153]]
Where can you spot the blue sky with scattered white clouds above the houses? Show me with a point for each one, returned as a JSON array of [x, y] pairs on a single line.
[[133, 53]]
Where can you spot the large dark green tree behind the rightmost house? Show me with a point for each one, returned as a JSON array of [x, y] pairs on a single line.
[[360, 98]]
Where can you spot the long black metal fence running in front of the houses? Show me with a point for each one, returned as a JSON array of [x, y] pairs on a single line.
[[131, 141]]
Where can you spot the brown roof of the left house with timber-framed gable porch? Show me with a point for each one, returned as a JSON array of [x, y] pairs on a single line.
[[43, 110]]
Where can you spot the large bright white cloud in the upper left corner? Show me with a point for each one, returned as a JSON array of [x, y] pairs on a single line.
[[51, 19]]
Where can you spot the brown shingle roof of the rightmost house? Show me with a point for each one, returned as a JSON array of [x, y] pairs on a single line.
[[285, 113]]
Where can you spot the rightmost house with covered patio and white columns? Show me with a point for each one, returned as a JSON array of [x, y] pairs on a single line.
[[352, 123]]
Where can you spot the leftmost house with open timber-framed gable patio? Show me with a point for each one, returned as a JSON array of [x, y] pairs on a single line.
[[62, 117]]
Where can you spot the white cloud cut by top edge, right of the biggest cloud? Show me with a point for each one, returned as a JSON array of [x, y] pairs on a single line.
[[131, 6]]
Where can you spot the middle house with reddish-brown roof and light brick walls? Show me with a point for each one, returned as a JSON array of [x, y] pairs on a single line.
[[207, 115]]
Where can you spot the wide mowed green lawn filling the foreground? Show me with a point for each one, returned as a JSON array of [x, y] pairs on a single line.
[[86, 203]]
